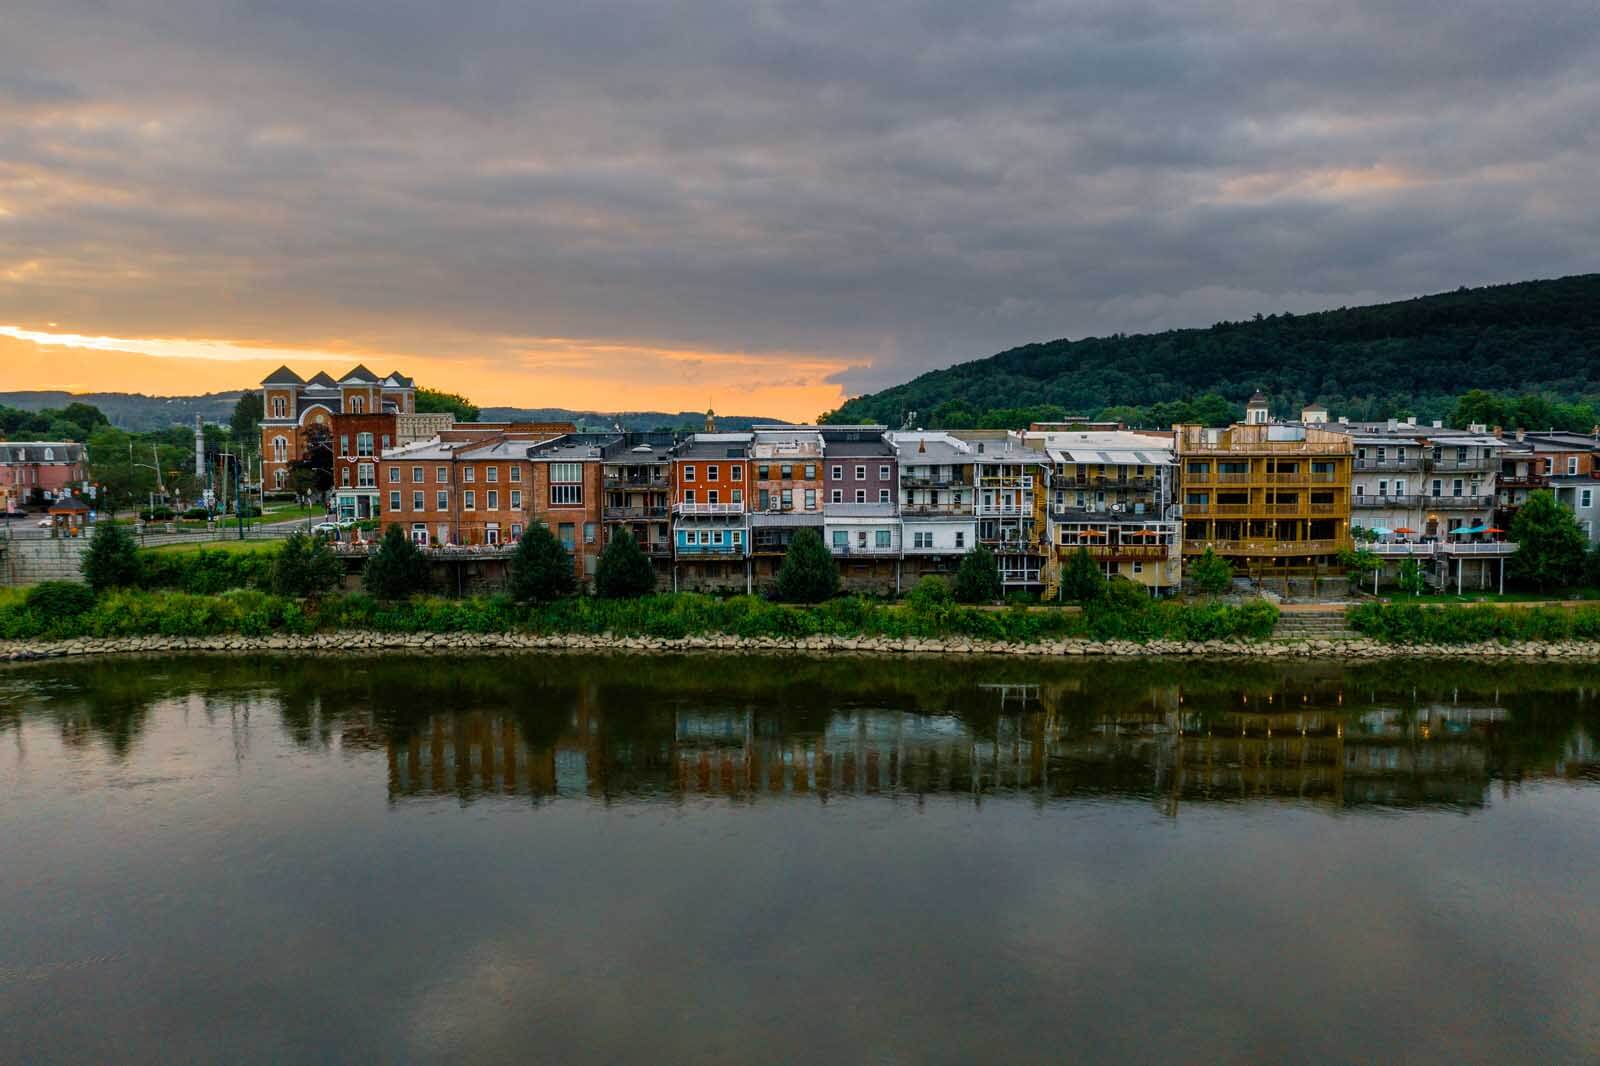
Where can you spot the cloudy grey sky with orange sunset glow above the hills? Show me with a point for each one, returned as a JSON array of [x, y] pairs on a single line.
[[759, 206]]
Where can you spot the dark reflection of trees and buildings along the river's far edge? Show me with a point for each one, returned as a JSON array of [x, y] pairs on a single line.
[[1393, 735]]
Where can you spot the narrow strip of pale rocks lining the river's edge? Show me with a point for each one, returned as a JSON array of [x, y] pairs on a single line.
[[358, 643]]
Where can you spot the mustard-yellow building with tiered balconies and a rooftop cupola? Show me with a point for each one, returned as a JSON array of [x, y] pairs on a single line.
[[1268, 497]]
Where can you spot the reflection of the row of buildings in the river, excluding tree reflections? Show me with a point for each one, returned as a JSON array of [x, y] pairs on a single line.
[[1042, 742]]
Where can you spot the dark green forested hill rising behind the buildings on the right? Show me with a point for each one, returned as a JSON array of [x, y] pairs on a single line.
[[1369, 363]]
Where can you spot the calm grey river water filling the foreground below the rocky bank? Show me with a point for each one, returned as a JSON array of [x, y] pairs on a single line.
[[710, 860]]
